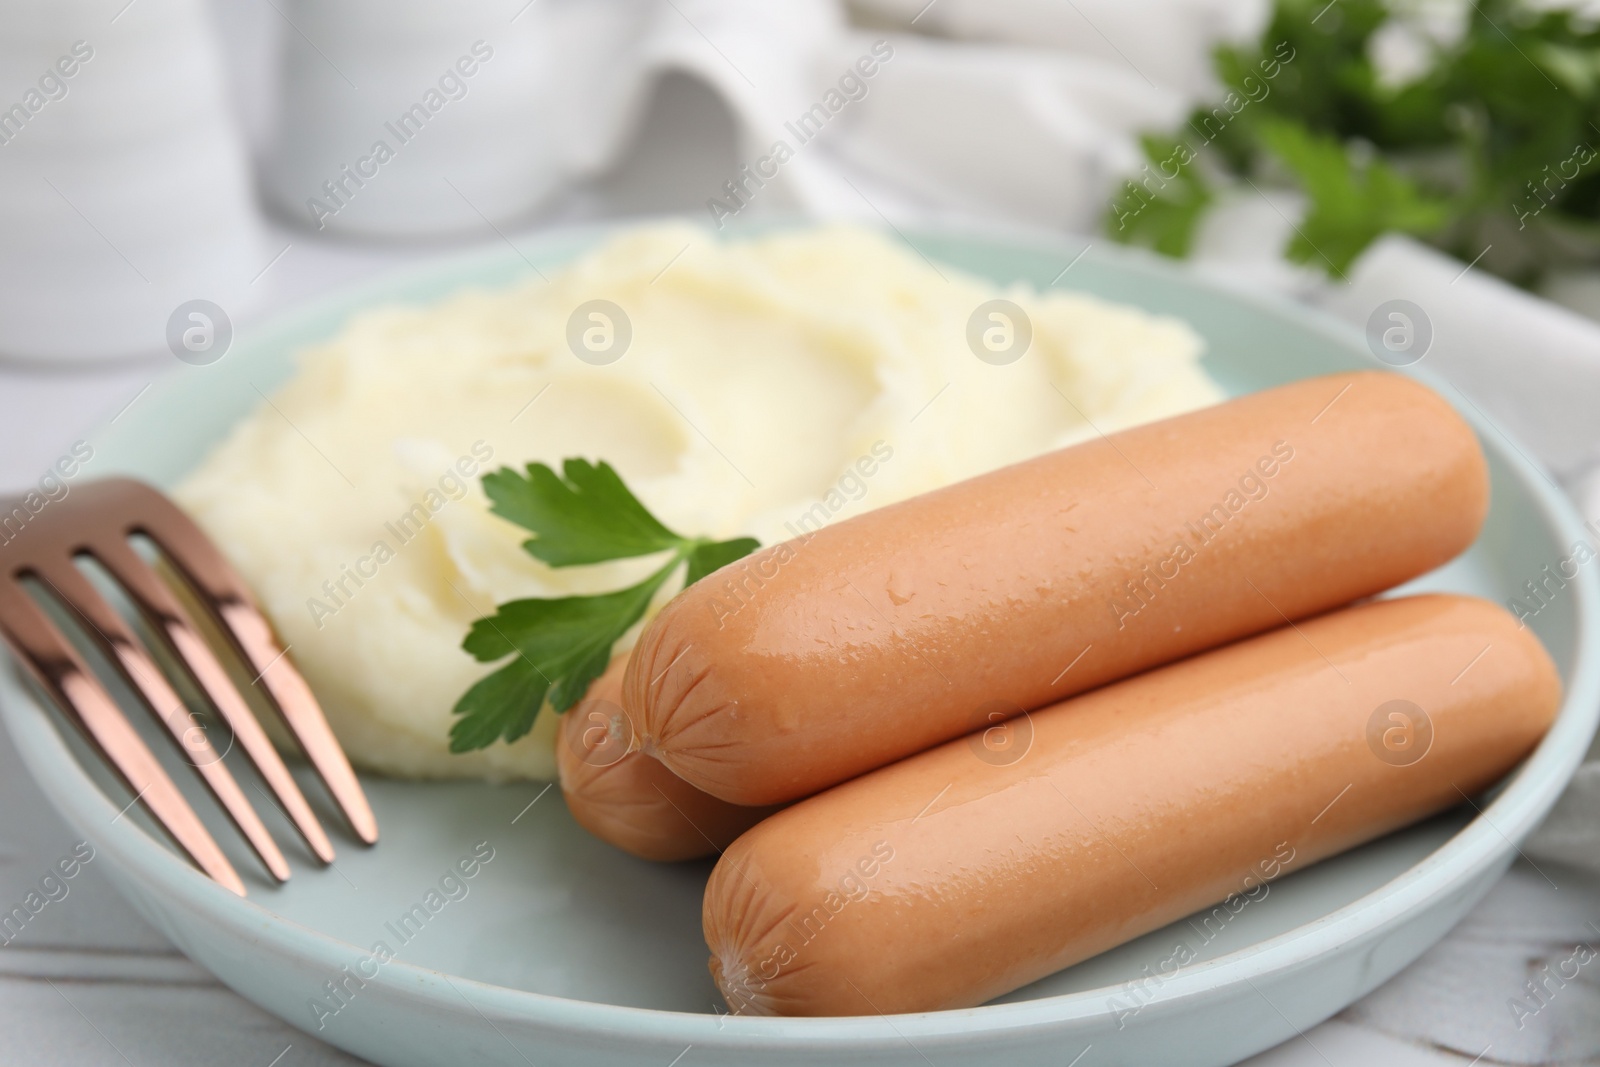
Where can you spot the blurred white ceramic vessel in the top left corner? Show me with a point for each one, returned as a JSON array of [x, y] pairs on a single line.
[[124, 186]]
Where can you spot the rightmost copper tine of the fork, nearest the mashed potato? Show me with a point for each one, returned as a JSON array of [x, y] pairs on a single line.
[[226, 596]]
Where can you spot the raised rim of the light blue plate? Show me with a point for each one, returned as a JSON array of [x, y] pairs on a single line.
[[1492, 837]]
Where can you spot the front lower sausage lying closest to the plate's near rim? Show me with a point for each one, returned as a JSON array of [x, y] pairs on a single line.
[[950, 879]]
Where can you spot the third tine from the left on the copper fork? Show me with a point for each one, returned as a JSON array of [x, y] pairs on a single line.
[[159, 604]]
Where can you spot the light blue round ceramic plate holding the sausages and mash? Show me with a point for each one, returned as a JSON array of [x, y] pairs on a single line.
[[566, 951]]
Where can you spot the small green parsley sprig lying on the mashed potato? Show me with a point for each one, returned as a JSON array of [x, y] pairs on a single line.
[[559, 645]]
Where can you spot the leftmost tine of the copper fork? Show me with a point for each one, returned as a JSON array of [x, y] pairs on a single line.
[[46, 653]]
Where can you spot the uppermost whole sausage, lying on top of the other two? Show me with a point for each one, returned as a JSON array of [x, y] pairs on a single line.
[[826, 657]]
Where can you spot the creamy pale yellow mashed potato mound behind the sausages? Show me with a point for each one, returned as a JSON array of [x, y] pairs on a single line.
[[770, 386]]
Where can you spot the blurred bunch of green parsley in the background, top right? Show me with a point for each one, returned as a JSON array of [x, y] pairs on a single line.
[[1489, 153]]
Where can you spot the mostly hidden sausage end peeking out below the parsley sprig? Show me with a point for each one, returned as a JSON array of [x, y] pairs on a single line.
[[630, 799]]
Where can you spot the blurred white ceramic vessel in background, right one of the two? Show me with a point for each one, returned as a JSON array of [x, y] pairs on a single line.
[[412, 119]]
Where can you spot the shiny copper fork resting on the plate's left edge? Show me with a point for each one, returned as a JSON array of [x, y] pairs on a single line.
[[97, 521]]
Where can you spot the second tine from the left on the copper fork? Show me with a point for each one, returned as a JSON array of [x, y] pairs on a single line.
[[140, 671]]
